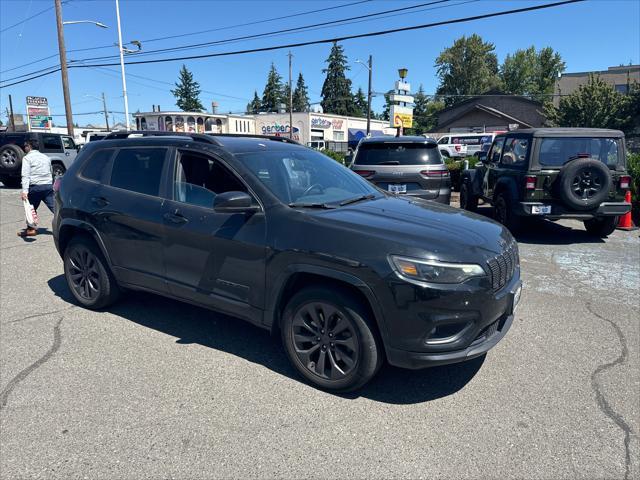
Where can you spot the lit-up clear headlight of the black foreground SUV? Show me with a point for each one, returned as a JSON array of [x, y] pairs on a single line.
[[433, 271]]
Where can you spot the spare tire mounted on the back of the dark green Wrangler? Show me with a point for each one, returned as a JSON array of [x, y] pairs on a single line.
[[584, 183]]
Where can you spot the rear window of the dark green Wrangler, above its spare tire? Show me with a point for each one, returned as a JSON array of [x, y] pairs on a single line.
[[555, 152]]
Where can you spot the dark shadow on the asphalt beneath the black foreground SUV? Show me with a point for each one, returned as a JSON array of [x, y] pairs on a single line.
[[190, 324]]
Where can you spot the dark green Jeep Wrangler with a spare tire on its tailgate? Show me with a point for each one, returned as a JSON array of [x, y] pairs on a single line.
[[552, 173]]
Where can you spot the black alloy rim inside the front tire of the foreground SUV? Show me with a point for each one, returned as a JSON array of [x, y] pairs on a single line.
[[325, 341]]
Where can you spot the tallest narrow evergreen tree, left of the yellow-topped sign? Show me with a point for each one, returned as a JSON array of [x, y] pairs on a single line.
[[336, 90]]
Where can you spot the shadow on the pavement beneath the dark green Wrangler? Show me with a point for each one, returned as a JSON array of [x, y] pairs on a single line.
[[545, 232]]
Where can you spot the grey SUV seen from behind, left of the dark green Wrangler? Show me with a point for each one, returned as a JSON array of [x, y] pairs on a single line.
[[407, 165]]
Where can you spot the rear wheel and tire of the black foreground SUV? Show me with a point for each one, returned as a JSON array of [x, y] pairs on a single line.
[[88, 275]]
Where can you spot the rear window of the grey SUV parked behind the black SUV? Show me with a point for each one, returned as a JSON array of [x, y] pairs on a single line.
[[397, 153]]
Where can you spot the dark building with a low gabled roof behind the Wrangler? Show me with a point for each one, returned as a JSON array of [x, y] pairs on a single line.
[[490, 113]]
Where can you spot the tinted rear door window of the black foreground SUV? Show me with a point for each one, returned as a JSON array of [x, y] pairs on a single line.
[[139, 169]]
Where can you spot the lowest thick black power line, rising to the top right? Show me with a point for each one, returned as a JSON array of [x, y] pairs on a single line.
[[326, 40]]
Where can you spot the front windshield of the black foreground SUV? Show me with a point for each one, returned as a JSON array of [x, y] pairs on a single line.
[[307, 179]]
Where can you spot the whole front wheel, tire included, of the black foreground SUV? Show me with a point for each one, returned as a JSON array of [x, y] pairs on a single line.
[[330, 339]]
